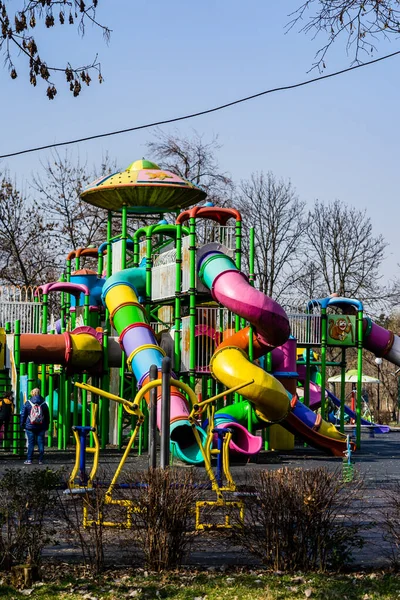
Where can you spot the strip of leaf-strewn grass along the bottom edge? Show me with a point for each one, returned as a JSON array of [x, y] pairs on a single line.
[[209, 585]]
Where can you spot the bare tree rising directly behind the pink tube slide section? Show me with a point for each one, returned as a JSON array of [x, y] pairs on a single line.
[[272, 207]]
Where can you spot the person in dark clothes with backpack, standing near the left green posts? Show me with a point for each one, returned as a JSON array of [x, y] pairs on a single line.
[[35, 419]]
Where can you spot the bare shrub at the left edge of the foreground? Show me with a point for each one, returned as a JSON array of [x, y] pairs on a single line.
[[26, 510]]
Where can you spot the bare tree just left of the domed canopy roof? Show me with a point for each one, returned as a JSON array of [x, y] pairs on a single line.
[[79, 224]]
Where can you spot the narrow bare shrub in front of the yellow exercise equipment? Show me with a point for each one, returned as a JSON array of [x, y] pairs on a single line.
[[163, 518]]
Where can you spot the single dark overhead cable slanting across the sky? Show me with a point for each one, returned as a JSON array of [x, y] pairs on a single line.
[[203, 112]]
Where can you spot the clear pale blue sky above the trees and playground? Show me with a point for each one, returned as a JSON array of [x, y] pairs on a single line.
[[333, 139]]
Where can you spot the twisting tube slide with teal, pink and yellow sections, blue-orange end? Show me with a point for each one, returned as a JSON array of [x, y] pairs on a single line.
[[230, 363]]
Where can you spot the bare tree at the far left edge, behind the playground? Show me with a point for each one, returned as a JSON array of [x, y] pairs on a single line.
[[26, 256]]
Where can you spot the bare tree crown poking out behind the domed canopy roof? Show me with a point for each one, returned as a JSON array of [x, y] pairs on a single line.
[[195, 160]]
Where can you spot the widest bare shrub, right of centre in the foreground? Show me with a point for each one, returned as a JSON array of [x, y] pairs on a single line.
[[298, 519]]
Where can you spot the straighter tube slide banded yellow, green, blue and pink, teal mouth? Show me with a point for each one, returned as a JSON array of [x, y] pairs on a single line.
[[121, 296]]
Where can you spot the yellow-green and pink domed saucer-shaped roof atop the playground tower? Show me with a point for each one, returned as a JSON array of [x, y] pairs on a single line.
[[144, 188]]
